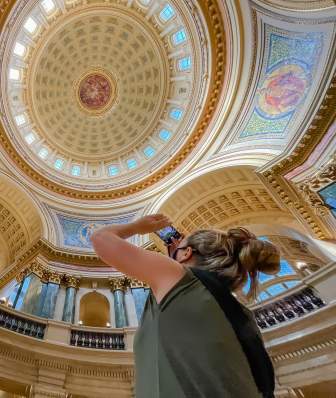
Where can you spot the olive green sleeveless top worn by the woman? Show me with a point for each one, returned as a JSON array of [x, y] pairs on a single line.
[[186, 348]]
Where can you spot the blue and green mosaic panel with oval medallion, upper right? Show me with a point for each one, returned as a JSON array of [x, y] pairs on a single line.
[[292, 60]]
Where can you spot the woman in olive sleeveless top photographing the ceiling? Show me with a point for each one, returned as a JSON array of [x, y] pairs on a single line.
[[195, 340]]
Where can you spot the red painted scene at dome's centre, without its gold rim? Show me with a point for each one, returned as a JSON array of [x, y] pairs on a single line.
[[95, 91]]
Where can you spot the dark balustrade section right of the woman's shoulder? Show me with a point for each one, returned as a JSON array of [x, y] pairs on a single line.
[[288, 308]]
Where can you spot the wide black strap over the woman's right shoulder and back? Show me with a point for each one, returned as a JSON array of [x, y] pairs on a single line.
[[245, 329]]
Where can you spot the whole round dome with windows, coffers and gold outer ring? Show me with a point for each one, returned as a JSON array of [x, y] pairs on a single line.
[[107, 97]]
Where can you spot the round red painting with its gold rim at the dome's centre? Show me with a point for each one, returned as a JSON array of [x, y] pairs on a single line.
[[96, 91]]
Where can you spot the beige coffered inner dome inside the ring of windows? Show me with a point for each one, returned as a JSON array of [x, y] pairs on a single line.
[[98, 85]]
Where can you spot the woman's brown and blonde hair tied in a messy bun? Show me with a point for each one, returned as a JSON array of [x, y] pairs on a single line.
[[235, 255]]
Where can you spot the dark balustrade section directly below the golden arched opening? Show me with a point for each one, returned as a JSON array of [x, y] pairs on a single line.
[[91, 339]]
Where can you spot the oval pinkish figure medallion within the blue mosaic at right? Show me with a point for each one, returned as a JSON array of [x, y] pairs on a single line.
[[283, 89]]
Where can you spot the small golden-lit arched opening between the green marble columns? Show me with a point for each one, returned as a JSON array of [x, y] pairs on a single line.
[[94, 310]]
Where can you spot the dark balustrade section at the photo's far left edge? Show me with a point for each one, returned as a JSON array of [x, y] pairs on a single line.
[[21, 324]]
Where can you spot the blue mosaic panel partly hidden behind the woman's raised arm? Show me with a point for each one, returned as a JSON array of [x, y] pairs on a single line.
[[76, 232]]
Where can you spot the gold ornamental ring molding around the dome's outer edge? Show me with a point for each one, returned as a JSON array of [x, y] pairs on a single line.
[[215, 24]]
